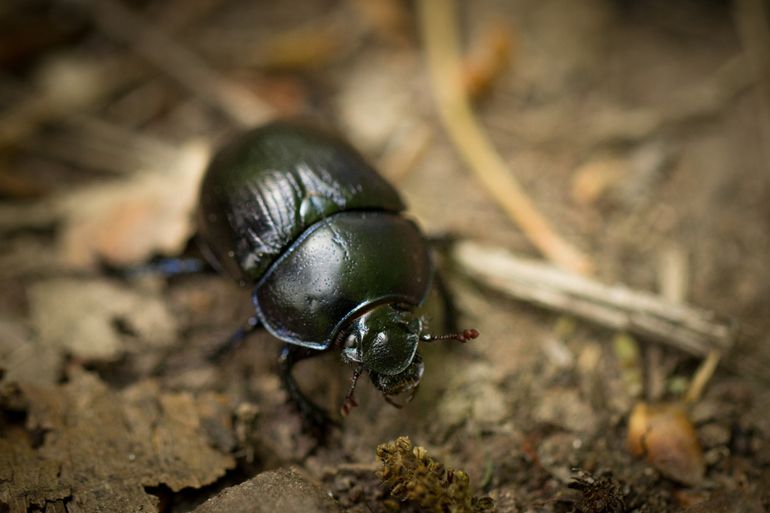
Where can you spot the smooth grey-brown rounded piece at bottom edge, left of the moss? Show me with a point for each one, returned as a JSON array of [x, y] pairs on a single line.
[[284, 490]]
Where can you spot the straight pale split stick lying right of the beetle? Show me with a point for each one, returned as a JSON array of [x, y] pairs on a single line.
[[682, 326]]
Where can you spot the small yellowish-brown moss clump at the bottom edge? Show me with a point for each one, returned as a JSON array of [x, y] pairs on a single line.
[[410, 474]]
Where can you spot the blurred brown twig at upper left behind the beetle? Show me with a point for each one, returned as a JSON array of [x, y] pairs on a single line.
[[156, 46]]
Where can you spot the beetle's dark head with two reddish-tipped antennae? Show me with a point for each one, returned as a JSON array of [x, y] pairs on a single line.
[[383, 341]]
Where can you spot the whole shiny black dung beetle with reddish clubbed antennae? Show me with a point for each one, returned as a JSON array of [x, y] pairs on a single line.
[[297, 214]]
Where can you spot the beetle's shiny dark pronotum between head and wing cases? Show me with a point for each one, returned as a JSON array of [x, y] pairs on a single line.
[[339, 268]]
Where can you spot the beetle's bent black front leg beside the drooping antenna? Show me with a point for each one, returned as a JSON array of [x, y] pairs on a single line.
[[315, 419]]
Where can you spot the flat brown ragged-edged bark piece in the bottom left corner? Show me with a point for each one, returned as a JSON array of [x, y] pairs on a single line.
[[98, 449]]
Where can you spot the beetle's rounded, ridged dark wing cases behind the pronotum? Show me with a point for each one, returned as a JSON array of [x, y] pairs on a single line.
[[266, 188]]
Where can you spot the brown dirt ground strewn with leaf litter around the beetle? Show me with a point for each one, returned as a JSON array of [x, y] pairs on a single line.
[[640, 130]]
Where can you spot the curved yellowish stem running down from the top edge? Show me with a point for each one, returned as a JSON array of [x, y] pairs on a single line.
[[438, 25]]
